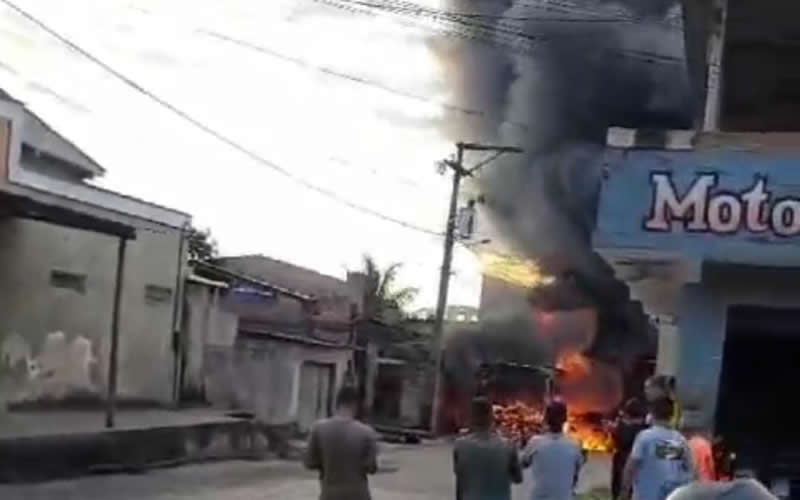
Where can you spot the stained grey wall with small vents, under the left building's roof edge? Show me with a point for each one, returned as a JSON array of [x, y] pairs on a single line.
[[54, 341]]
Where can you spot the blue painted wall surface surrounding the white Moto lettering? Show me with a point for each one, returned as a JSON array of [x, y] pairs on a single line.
[[626, 202]]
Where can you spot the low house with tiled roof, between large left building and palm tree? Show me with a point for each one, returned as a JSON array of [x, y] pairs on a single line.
[[277, 348]]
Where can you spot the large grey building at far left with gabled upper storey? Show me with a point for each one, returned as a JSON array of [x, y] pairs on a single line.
[[66, 248]]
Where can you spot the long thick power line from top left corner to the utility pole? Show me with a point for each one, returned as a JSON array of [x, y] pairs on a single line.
[[210, 131]]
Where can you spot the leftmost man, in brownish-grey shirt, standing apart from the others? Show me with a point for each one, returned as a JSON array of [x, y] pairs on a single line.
[[344, 451]]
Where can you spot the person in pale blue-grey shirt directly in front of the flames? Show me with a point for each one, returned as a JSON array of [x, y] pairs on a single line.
[[555, 459]]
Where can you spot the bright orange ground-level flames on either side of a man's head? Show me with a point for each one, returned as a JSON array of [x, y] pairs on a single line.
[[519, 421]]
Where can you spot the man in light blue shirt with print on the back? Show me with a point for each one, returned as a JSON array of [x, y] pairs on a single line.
[[660, 460]]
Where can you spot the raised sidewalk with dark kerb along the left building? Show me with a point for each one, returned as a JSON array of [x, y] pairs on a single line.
[[42, 445]]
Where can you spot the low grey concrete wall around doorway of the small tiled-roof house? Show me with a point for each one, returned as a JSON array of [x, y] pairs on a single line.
[[263, 375]]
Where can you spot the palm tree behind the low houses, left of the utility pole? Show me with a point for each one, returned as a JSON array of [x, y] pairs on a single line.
[[380, 293]]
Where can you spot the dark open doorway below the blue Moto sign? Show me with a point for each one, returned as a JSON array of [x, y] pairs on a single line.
[[760, 371]]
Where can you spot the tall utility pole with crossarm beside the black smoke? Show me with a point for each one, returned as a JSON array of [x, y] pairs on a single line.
[[459, 171]]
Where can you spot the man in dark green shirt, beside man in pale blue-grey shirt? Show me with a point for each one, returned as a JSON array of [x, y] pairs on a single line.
[[484, 464]]
